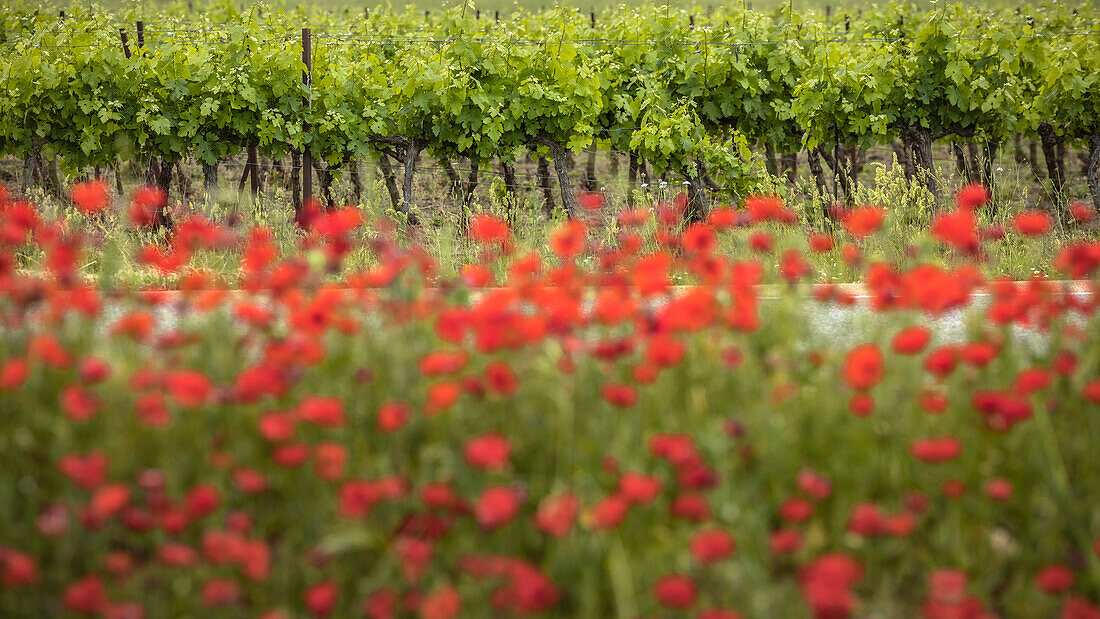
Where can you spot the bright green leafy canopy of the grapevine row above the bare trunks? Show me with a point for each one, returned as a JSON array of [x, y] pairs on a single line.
[[675, 85]]
